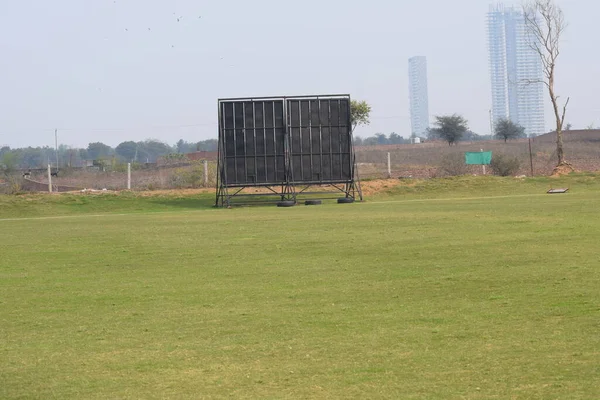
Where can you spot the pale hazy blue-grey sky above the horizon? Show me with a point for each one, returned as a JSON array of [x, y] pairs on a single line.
[[110, 71]]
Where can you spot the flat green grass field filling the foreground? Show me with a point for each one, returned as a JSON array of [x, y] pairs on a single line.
[[466, 288]]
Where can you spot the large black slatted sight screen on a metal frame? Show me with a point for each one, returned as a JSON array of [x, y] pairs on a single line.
[[286, 144]]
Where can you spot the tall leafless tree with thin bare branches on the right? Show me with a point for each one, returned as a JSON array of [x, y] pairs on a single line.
[[545, 23]]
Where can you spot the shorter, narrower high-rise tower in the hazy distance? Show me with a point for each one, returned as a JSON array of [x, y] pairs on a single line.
[[419, 99]]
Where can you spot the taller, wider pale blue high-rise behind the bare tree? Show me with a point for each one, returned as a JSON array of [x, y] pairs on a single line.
[[516, 71]]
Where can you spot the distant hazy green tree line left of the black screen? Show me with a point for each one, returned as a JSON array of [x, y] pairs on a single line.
[[147, 151]]
